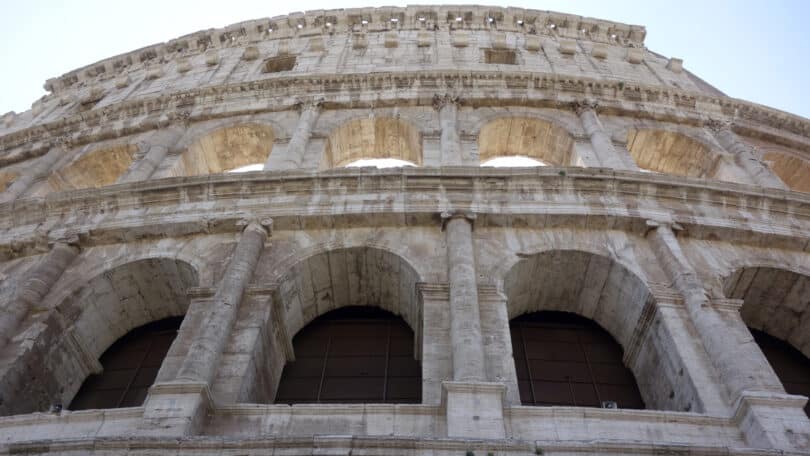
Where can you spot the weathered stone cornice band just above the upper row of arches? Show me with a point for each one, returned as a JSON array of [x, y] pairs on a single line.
[[282, 93]]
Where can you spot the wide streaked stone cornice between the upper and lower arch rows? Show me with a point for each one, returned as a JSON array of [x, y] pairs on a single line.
[[586, 198]]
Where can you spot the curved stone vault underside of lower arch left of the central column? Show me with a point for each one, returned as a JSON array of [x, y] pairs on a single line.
[[353, 276]]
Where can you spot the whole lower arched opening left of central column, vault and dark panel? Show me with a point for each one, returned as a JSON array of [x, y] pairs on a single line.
[[378, 289]]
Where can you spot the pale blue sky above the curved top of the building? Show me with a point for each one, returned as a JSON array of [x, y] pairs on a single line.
[[754, 50]]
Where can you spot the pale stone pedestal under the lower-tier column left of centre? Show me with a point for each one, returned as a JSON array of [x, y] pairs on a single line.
[[175, 409]]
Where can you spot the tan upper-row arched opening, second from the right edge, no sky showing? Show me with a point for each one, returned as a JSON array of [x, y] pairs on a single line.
[[669, 152]]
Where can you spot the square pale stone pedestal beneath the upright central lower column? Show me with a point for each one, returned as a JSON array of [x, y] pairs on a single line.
[[474, 409]]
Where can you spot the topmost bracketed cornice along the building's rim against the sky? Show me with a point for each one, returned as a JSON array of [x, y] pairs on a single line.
[[328, 22]]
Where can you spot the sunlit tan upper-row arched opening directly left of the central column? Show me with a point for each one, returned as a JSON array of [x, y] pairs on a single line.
[[373, 138]]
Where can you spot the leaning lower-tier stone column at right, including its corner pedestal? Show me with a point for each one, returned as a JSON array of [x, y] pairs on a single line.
[[767, 416]]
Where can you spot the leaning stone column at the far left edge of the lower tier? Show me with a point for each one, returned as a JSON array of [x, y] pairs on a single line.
[[35, 286]]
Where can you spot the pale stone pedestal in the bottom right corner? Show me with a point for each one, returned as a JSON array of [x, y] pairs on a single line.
[[773, 420]]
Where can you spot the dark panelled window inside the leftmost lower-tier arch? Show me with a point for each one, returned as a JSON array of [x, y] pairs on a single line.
[[130, 367]]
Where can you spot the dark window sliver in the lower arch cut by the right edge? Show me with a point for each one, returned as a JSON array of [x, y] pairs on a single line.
[[790, 365]]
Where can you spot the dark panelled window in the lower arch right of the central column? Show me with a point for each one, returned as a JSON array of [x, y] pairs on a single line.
[[564, 359]]
